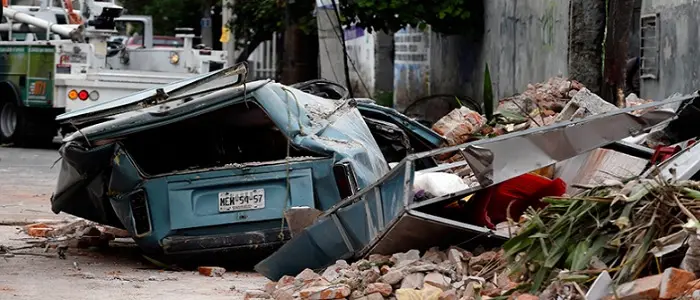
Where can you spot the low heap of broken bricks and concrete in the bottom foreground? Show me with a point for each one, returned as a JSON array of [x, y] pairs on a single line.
[[434, 274]]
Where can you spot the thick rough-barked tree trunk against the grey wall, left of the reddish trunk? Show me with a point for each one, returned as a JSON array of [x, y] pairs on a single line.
[[586, 33]]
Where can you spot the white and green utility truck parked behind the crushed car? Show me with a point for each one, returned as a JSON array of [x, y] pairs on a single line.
[[56, 59]]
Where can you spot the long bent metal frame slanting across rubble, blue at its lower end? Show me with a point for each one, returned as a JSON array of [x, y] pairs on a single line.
[[492, 160]]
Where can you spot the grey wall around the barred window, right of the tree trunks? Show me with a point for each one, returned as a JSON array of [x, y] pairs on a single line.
[[679, 60]]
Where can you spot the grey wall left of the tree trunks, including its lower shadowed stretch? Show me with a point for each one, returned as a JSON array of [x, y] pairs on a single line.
[[524, 41]]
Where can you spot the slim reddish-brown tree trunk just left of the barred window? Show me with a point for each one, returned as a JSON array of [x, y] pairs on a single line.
[[616, 43]]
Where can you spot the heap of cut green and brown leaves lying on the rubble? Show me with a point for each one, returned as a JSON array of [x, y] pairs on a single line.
[[611, 228]]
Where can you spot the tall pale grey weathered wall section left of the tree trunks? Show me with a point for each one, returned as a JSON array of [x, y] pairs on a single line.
[[525, 41]]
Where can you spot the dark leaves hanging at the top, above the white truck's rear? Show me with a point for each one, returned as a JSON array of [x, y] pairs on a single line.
[[170, 14]]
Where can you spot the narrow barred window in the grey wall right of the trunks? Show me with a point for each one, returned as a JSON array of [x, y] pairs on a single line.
[[649, 42]]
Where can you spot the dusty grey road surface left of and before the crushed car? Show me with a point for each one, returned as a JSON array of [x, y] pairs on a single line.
[[27, 181]]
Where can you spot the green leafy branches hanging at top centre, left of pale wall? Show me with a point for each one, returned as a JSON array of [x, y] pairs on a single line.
[[444, 16]]
